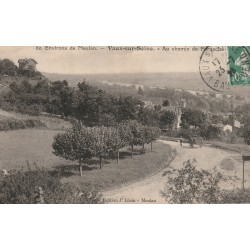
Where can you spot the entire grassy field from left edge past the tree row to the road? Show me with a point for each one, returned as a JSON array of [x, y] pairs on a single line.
[[34, 145]]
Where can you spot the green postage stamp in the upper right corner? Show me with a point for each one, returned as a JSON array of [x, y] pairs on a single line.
[[239, 65]]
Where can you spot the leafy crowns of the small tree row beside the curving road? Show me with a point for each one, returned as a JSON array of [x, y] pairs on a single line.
[[81, 143]]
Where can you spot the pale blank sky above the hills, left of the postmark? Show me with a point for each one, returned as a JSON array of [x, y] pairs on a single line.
[[105, 60]]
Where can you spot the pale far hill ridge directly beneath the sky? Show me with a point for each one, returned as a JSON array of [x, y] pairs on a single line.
[[177, 80]]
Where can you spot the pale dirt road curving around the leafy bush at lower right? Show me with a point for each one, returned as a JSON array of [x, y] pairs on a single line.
[[148, 190]]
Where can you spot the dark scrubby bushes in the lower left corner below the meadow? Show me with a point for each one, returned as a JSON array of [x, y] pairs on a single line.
[[20, 187]]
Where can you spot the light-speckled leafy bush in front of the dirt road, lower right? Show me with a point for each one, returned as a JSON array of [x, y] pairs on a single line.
[[191, 185]]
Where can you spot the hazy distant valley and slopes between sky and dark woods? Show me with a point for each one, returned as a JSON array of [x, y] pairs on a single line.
[[160, 86]]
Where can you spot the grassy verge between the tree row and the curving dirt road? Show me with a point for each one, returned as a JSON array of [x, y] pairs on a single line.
[[127, 171]]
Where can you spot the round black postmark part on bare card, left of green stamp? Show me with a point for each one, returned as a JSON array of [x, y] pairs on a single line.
[[213, 67]]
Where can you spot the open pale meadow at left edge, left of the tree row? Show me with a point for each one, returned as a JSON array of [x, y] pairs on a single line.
[[33, 145]]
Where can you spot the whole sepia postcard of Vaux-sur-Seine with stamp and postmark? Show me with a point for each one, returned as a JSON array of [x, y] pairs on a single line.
[[125, 125]]
